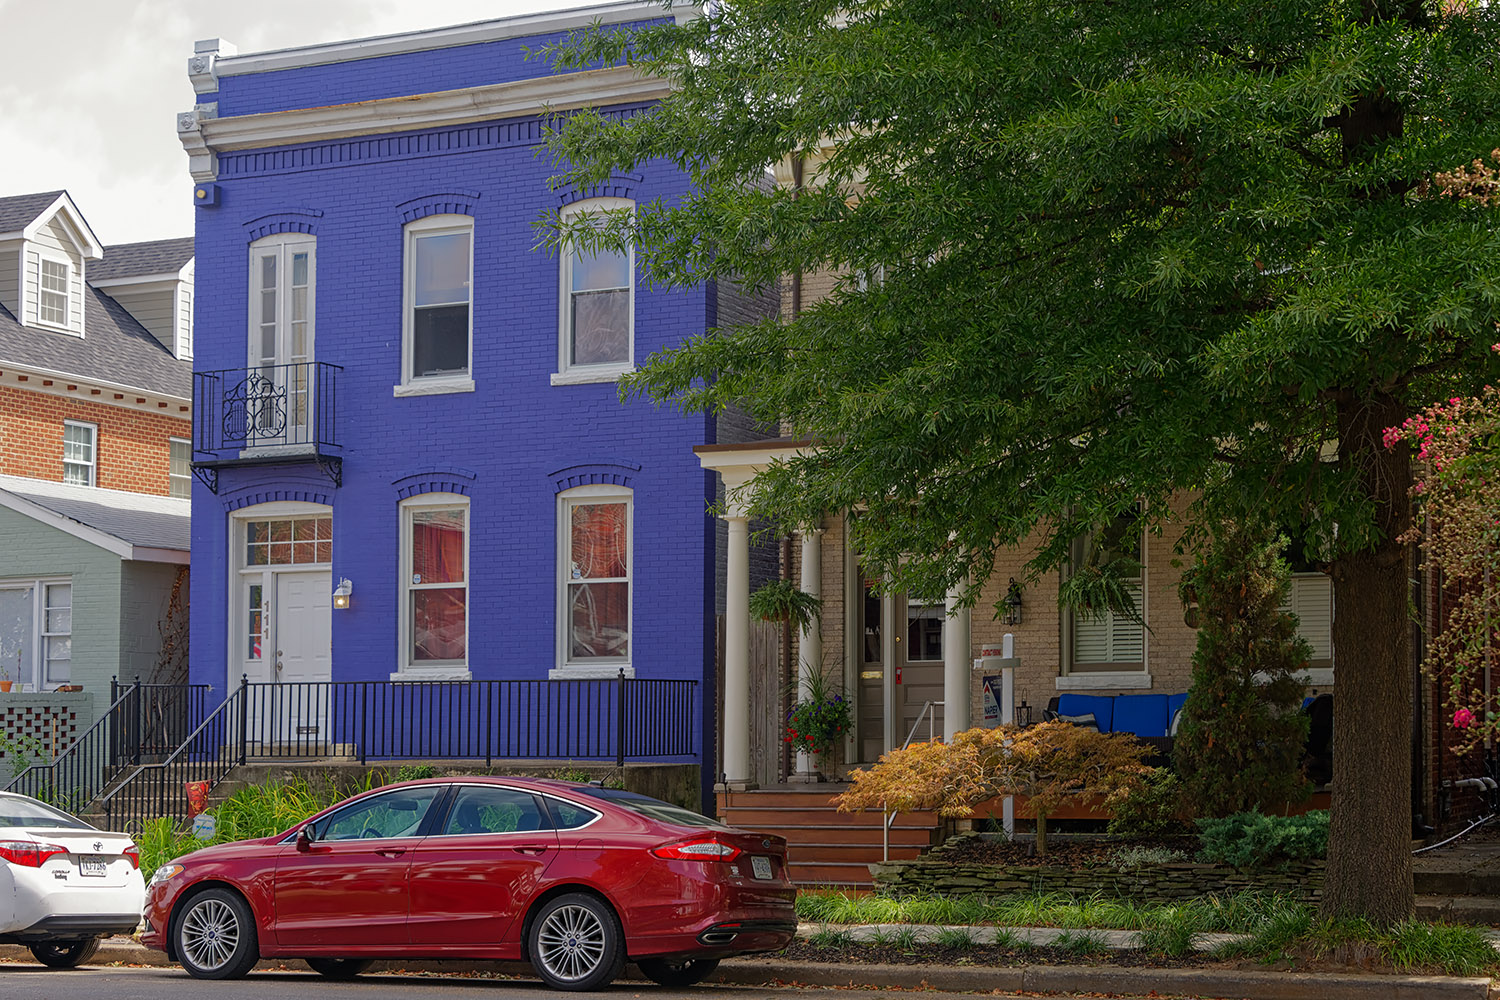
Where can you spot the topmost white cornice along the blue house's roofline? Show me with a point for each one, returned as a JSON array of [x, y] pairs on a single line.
[[473, 34]]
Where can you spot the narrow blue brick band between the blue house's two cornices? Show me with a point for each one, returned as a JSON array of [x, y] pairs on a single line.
[[389, 76]]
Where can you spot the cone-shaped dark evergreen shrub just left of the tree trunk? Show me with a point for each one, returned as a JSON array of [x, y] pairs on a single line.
[[1241, 741]]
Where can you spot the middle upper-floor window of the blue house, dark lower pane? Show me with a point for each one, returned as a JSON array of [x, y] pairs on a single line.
[[439, 323]]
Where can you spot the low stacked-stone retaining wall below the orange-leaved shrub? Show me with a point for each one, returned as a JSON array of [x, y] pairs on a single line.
[[937, 875]]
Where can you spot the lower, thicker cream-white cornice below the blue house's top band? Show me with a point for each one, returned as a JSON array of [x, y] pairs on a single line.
[[596, 88]]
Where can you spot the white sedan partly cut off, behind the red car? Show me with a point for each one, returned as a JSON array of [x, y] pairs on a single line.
[[64, 884]]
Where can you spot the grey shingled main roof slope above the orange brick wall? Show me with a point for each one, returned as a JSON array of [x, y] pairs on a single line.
[[115, 350]]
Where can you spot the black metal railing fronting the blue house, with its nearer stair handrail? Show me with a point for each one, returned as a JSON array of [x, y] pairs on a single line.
[[620, 720]]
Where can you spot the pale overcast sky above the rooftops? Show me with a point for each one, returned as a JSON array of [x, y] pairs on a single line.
[[89, 89]]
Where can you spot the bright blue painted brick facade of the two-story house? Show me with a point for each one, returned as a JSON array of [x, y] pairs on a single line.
[[509, 445]]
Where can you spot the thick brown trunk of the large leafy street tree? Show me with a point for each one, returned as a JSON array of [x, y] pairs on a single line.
[[1370, 836]]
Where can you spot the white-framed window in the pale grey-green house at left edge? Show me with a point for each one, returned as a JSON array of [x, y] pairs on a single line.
[[37, 633]]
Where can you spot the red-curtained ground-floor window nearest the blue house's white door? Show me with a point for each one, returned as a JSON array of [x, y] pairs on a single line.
[[434, 567]]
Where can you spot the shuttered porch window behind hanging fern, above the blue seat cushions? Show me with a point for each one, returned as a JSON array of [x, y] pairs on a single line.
[[1103, 639]]
